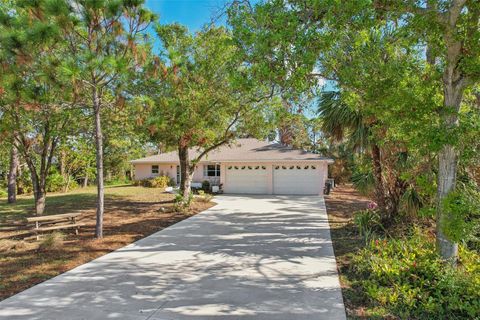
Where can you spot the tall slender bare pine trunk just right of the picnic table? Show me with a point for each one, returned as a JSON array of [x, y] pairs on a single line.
[[99, 162]]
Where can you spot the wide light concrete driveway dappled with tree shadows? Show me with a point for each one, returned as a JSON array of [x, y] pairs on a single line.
[[259, 257]]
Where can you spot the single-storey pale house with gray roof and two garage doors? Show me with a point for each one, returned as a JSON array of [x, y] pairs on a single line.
[[249, 166]]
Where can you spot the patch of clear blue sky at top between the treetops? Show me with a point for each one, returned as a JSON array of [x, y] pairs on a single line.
[[192, 13]]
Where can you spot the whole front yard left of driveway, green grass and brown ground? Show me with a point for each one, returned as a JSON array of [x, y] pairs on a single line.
[[131, 213]]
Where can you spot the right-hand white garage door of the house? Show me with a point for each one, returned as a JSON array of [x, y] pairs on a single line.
[[297, 179]]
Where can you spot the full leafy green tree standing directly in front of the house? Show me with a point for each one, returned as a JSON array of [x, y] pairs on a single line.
[[198, 96]]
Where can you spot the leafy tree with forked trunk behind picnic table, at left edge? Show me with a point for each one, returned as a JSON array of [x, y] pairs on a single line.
[[36, 106]]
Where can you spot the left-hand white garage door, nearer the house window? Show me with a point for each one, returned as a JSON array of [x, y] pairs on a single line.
[[246, 179]]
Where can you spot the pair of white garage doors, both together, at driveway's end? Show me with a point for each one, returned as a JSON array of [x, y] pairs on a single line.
[[282, 178]]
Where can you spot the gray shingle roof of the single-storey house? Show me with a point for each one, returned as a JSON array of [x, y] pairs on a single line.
[[242, 150]]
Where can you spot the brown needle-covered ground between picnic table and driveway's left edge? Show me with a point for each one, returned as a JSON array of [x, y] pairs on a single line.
[[124, 223]]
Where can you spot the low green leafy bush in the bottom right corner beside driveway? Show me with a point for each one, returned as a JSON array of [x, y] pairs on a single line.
[[406, 278]]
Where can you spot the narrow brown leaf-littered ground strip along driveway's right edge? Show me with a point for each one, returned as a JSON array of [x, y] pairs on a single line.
[[341, 204]]
